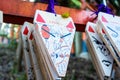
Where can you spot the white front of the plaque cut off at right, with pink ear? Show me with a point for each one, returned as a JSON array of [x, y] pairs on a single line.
[[111, 26]]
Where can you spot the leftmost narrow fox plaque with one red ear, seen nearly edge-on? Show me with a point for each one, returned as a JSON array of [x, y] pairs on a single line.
[[28, 65]]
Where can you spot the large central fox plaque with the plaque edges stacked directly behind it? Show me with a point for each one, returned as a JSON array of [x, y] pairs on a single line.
[[53, 36]]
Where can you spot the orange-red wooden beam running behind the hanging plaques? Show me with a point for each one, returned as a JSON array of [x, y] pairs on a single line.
[[16, 11]]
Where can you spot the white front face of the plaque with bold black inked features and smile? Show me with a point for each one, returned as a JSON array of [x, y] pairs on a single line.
[[101, 52]]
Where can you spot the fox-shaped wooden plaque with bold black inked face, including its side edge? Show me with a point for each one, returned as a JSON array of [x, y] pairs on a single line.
[[101, 55]]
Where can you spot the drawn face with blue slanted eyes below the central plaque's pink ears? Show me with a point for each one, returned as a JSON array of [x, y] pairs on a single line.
[[58, 41]]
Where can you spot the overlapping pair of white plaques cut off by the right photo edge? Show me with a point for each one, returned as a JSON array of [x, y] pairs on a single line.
[[108, 27]]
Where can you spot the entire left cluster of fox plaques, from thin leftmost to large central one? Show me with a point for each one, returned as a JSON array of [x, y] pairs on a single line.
[[48, 43]]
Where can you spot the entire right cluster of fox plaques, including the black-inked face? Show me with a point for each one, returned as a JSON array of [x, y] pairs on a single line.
[[103, 44]]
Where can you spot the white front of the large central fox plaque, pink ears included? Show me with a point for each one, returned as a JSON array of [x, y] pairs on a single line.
[[57, 34]]
